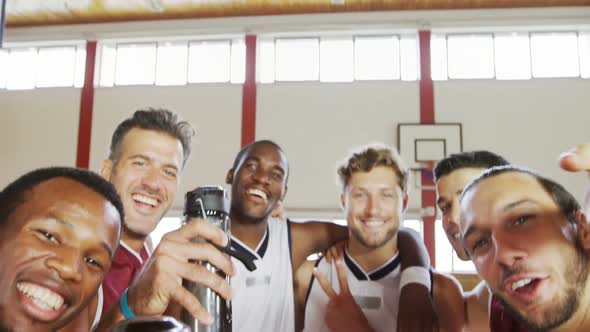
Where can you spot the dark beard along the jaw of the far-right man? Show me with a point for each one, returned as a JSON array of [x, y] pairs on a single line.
[[576, 273]]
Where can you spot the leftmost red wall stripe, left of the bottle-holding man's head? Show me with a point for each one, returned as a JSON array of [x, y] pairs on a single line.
[[86, 106]]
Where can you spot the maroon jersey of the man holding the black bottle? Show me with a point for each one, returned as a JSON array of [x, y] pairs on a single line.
[[126, 265]]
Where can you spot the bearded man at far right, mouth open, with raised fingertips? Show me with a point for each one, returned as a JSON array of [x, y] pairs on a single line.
[[530, 241]]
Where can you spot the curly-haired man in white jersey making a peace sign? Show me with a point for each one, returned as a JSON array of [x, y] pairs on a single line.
[[361, 292]]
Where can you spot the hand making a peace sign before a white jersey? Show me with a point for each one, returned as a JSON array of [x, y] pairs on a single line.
[[342, 312]]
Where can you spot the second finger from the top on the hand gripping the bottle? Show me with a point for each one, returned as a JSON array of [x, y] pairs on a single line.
[[185, 251]]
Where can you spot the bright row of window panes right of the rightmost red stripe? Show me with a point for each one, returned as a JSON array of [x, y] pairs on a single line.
[[510, 55]]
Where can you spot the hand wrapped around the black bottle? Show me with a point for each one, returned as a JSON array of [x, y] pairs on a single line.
[[160, 281]]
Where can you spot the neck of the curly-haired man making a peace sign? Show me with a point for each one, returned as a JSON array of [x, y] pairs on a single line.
[[372, 258]]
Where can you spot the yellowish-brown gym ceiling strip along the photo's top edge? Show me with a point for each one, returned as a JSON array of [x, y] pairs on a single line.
[[21, 13]]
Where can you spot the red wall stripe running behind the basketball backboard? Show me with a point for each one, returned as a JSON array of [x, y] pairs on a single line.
[[427, 117]]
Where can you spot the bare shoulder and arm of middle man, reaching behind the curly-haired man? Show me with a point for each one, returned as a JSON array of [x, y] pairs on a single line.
[[313, 237]]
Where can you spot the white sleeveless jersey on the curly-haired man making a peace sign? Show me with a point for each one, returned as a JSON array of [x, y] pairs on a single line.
[[376, 292]]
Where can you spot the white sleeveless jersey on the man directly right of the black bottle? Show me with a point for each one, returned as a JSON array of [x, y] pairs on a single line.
[[263, 299]]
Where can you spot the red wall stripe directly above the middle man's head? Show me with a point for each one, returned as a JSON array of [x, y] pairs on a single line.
[[249, 93]]
